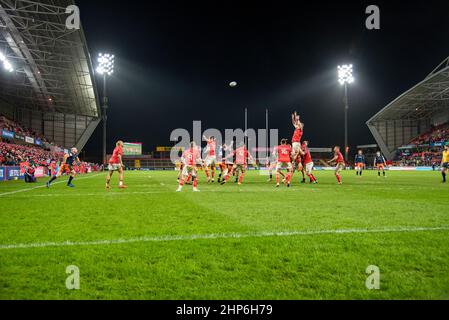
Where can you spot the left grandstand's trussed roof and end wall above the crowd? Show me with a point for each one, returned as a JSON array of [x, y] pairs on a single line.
[[52, 89]]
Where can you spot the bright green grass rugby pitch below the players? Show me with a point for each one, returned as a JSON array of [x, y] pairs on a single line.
[[227, 242]]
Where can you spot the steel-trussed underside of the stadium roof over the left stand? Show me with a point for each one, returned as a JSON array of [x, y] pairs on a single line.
[[52, 67]]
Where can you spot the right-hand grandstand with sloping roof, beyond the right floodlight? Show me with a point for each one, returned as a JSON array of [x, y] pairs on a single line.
[[418, 113]]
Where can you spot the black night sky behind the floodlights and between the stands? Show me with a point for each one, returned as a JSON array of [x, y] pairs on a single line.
[[175, 59]]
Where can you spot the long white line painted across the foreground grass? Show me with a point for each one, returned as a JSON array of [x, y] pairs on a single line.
[[216, 236]]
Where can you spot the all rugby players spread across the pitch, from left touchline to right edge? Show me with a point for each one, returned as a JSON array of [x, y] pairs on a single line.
[[234, 162]]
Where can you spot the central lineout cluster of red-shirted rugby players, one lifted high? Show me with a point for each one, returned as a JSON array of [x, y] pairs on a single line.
[[292, 158]]
